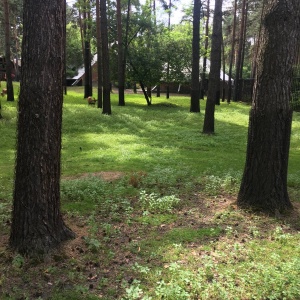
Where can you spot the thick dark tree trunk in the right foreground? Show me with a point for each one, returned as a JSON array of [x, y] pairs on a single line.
[[264, 183]]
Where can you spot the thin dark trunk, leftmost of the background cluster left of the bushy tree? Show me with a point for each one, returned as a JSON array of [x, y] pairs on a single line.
[[88, 89]]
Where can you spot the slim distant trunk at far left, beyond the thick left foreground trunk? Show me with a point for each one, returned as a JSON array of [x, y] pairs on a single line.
[[9, 85]]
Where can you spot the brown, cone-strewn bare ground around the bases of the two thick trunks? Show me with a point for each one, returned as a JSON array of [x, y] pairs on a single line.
[[103, 261]]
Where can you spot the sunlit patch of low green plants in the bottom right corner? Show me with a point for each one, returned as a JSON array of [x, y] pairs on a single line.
[[233, 272]]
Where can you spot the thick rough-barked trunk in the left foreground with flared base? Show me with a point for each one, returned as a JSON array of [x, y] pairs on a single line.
[[37, 224]]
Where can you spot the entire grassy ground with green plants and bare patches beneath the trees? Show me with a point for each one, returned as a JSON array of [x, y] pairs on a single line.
[[152, 202]]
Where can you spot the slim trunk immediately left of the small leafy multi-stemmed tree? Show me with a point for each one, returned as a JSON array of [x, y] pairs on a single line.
[[121, 66]]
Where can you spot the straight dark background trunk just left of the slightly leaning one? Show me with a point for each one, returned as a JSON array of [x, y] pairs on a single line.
[[195, 86]]
